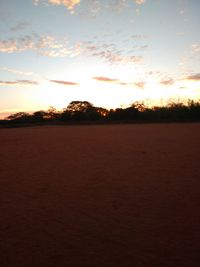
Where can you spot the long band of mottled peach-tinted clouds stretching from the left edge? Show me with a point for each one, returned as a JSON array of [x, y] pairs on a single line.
[[51, 46]]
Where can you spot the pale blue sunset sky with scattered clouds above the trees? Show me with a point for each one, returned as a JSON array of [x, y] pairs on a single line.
[[110, 53]]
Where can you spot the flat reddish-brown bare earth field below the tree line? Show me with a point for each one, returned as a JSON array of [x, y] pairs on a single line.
[[111, 195]]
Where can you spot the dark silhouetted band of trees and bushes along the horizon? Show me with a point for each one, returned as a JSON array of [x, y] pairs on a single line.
[[85, 112]]
